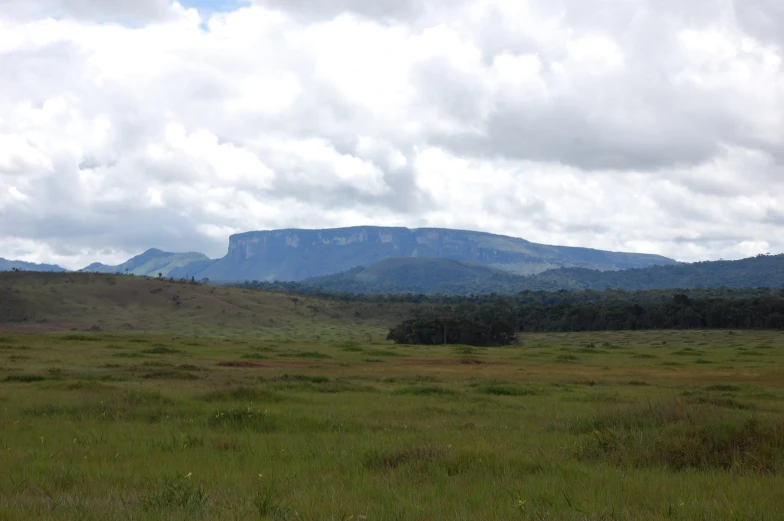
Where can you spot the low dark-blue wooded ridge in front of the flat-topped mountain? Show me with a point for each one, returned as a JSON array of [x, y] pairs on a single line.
[[402, 276]]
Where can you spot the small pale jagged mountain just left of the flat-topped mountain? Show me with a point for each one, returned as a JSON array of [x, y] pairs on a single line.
[[154, 261]]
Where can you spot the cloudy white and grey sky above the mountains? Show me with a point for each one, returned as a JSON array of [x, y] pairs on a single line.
[[629, 125]]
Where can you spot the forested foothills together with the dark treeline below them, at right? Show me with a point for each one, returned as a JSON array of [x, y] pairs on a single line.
[[491, 309]]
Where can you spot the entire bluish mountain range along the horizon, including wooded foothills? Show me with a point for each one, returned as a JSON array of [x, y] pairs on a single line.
[[369, 259]]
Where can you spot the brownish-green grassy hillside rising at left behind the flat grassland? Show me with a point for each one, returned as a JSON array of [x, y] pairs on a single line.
[[60, 302]]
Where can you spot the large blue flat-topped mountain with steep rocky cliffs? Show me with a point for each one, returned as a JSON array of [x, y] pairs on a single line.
[[296, 254]]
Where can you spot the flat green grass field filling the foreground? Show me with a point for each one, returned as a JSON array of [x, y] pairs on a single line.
[[276, 424]]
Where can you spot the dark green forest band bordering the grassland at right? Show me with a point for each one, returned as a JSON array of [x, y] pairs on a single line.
[[493, 321]]
